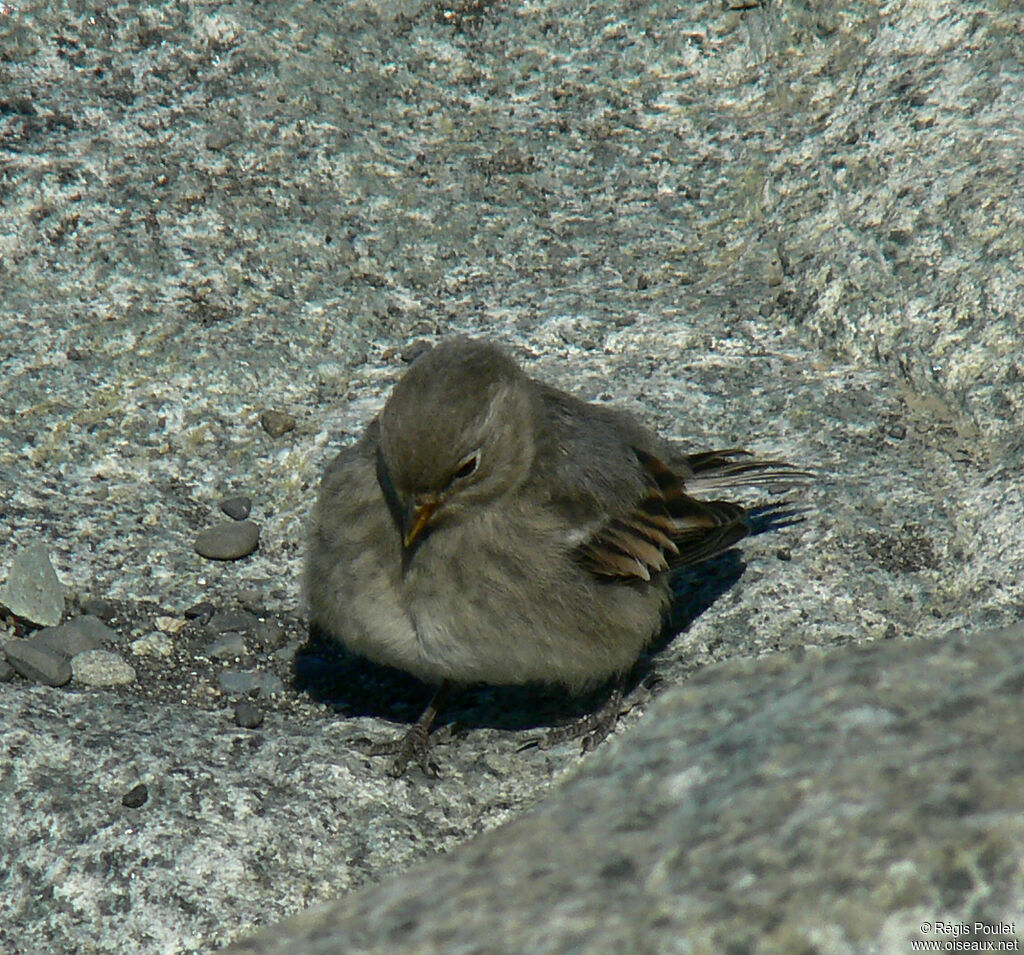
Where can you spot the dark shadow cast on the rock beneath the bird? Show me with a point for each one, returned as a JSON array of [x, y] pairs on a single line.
[[356, 687]]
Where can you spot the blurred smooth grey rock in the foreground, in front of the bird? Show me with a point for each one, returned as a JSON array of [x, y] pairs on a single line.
[[823, 802]]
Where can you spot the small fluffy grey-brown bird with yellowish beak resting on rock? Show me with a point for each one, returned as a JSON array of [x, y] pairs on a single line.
[[490, 529]]
